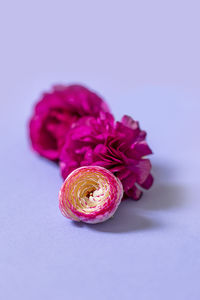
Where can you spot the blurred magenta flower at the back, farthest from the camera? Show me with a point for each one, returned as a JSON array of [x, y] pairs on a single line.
[[56, 112]]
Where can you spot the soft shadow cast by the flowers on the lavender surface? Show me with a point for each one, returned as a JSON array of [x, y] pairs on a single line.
[[129, 216]]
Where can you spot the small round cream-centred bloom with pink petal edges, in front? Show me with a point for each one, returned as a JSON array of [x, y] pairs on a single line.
[[90, 194]]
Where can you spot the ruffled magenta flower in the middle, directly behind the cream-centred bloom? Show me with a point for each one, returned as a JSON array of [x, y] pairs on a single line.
[[117, 146]]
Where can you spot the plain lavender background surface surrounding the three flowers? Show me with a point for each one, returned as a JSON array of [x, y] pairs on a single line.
[[143, 56]]
